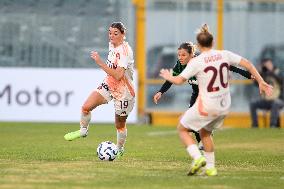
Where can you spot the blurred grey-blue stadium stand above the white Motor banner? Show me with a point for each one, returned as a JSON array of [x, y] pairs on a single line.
[[54, 33]]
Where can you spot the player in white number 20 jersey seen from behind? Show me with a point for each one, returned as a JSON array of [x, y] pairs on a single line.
[[211, 69]]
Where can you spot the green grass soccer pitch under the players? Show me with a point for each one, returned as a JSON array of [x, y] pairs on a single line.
[[35, 155]]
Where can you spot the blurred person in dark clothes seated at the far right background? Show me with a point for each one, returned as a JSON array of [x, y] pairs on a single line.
[[271, 74]]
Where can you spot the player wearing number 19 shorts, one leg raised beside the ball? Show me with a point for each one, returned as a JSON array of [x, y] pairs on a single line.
[[117, 86]]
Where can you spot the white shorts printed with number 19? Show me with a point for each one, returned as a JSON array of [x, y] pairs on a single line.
[[123, 106]]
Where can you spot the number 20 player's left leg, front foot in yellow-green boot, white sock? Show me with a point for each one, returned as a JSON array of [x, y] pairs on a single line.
[[192, 149]]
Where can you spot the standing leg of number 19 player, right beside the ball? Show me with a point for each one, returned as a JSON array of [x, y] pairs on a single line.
[[121, 130]]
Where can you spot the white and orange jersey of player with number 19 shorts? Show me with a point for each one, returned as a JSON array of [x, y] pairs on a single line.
[[121, 56]]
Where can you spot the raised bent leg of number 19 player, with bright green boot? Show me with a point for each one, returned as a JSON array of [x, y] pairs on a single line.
[[94, 100]]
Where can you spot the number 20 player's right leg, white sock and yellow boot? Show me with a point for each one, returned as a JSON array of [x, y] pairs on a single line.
[[207, 140]]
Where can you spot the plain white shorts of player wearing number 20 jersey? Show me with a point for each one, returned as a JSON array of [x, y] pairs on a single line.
[[192, 119]]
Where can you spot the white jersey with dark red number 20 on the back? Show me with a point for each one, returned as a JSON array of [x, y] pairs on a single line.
[[211, 69]]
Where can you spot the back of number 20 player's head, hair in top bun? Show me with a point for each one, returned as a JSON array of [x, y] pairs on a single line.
[[204, 37]]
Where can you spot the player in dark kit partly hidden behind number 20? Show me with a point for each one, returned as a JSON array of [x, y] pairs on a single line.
[[185, 53]]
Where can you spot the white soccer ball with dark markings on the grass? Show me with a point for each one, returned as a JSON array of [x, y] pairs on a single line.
[[107, 151]]
